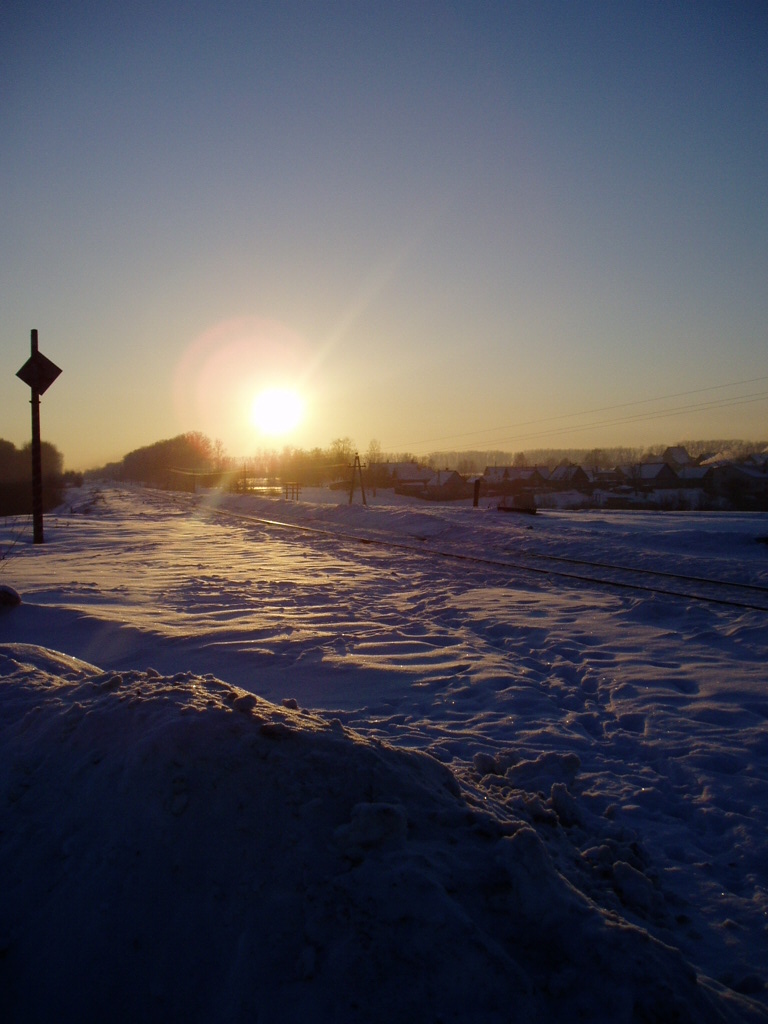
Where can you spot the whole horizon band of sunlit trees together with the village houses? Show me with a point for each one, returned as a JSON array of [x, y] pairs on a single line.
[[733, 479]]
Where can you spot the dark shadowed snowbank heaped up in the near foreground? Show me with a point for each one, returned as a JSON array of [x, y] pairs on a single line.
[[176, 848]]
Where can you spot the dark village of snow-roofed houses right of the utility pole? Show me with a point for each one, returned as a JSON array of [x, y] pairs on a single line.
[[674, 482]]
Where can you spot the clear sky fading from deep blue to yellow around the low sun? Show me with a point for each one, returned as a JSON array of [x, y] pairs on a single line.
[[444, 226]]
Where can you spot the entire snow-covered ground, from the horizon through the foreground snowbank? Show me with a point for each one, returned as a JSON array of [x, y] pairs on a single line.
[[375, 770]]
